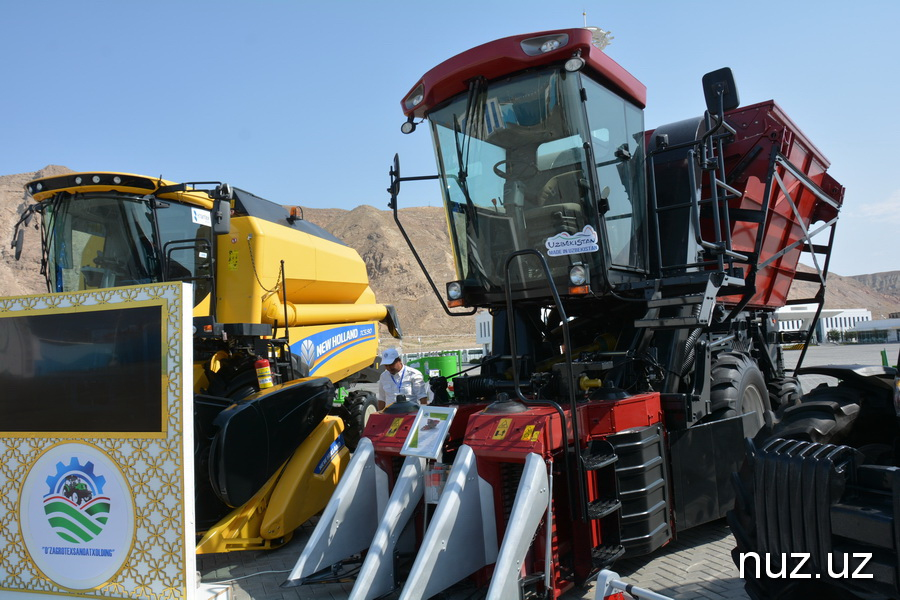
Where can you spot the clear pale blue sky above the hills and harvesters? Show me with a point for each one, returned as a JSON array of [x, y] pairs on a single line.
[[299, 102]]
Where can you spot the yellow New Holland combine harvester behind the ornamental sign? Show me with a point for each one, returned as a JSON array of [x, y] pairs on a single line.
[[283, 317]]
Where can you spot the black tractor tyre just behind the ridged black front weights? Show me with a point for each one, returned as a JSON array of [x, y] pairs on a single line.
[[825, 415]]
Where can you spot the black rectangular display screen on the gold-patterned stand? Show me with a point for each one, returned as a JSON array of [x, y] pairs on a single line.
[[97, 371]]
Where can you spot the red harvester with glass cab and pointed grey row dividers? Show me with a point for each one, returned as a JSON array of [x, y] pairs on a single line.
[[633, 277]]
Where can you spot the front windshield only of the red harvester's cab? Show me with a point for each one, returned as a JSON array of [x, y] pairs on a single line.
[[506, 187]]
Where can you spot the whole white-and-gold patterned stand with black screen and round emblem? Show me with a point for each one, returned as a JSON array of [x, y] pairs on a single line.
[[98, 512]]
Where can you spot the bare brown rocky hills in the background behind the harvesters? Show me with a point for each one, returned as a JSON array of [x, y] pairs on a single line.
[[394, 274]]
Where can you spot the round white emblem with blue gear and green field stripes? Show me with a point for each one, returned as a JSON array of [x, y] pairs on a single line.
[[77, 516]]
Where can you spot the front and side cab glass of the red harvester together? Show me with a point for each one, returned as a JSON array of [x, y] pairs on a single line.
[[515, 156]]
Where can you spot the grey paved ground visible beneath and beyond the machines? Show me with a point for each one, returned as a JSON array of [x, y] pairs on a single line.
[[697, 565]]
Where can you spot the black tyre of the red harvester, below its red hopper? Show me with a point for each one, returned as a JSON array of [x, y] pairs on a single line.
[[738, 387]]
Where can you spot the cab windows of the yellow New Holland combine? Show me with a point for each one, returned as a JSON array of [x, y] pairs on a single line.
[[101, 241]]
